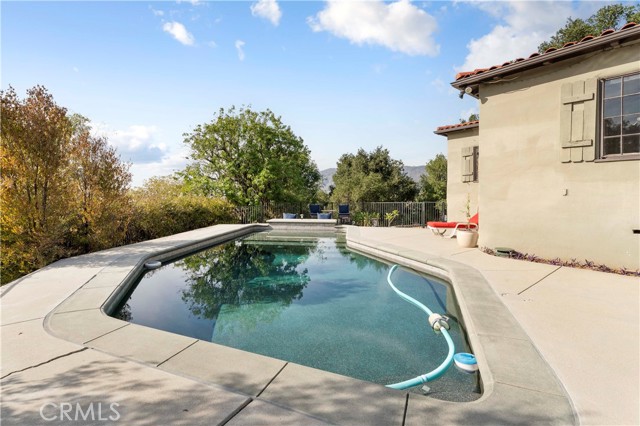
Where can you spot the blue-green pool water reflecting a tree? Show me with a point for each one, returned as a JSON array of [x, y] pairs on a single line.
[[308, 300]]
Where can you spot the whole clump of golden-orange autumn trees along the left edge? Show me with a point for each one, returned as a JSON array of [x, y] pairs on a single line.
[[63, 190]]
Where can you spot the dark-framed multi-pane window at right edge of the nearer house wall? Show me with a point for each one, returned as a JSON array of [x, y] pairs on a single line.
[[620, 129]]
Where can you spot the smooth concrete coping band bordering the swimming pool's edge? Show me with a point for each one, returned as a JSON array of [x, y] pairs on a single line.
[[496, 338]]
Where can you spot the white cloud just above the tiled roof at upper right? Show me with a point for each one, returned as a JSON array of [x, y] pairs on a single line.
[[523, 26]]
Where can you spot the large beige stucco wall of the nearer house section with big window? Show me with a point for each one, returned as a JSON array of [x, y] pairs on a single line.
[[523, 182]]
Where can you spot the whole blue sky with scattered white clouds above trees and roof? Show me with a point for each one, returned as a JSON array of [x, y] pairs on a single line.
[[343, 74]]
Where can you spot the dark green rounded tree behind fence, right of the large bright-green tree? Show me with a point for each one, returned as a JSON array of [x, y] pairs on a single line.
[[371, 176]]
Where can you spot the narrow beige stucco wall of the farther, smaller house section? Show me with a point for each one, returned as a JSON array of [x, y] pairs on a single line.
[[456, 189]]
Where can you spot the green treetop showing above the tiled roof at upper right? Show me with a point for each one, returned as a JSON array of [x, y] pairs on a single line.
[[610, 16]]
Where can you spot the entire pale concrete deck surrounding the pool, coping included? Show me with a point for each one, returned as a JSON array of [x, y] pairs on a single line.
[[59, 348]]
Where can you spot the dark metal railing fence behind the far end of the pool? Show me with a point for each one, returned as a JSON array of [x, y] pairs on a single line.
[[409, 213]]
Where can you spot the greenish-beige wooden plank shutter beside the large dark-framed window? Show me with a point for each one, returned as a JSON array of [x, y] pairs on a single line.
[[578, 120]]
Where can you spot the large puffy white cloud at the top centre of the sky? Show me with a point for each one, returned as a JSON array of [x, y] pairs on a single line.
[[399, 26]]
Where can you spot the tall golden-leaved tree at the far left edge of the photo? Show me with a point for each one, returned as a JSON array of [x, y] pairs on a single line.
[[36, 135]]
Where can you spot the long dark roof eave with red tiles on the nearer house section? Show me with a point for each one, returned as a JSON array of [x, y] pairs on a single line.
[[613, 40]]
